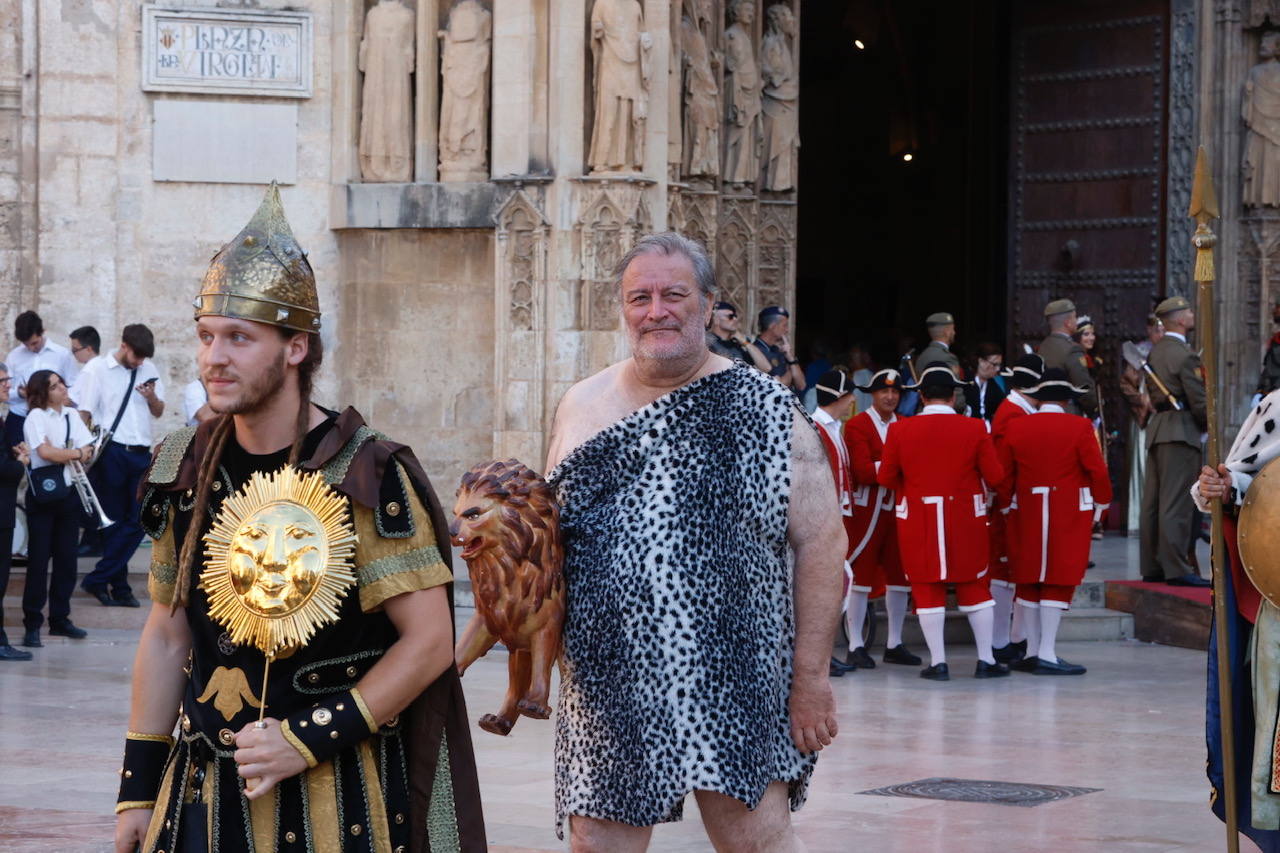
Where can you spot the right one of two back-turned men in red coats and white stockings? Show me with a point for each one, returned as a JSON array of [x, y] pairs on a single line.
[[1057, 473]]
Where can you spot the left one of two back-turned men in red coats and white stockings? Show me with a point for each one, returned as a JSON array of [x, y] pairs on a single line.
[[939, 466]]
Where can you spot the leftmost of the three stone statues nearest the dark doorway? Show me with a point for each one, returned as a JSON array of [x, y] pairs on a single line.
[[702, 93]]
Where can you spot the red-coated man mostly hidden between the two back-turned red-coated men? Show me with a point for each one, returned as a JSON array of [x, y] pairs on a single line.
[[1008, 640]]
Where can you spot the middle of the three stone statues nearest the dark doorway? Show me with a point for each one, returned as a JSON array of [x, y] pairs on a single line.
[[742, 98]]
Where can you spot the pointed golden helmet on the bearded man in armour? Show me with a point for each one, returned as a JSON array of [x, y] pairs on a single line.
[[263, 275]]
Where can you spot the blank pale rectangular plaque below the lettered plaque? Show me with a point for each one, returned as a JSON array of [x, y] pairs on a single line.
[[225, 143]]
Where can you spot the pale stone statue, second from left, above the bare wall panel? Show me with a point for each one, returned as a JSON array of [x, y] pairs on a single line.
[[465, 93]]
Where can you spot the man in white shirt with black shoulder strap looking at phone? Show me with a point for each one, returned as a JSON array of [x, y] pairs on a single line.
[[124, 394]]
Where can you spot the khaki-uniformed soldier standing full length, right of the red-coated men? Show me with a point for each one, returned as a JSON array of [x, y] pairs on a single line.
[[1173, 451]]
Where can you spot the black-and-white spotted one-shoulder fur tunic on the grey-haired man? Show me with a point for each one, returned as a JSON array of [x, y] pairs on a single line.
[[680, 632]]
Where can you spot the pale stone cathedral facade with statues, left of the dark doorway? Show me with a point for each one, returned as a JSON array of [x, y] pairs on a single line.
[[441, 177]]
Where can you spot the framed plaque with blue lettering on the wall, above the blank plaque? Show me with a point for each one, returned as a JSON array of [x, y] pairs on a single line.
[[222, 52]]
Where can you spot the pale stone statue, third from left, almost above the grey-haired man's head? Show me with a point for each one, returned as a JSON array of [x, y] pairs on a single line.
[[621, 53]]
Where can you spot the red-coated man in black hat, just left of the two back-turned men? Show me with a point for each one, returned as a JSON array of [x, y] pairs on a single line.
[[872, 540]]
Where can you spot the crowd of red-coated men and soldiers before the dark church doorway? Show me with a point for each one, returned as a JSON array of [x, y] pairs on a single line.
[[1021, 565]]
